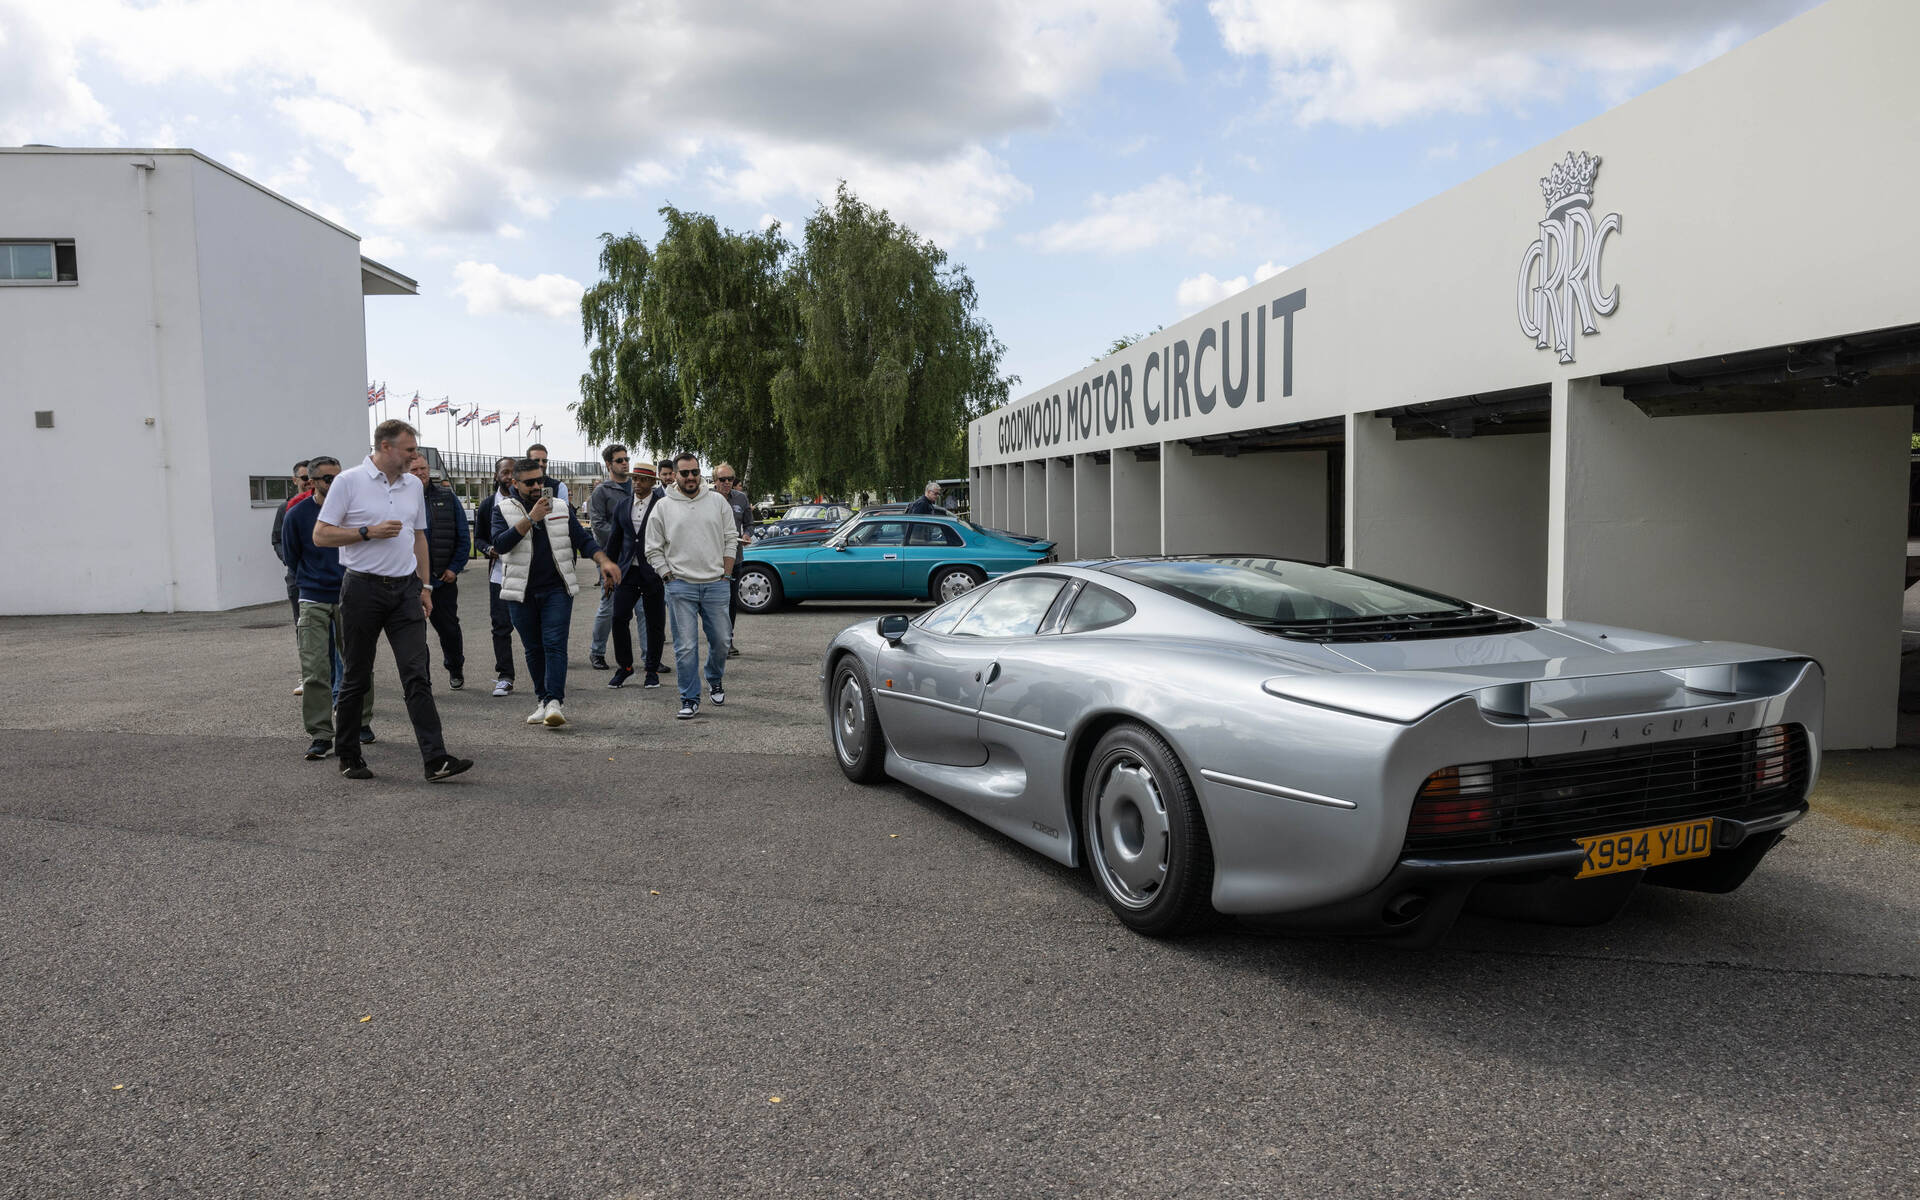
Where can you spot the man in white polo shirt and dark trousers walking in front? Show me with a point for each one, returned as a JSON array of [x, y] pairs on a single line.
[[377, 516]]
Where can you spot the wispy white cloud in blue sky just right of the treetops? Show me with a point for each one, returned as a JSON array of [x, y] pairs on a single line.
[[1166, 212]]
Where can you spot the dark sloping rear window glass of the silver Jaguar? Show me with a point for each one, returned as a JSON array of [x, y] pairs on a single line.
[[1280, 592]]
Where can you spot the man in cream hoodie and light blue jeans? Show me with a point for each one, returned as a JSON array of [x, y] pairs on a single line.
[[692, 544]]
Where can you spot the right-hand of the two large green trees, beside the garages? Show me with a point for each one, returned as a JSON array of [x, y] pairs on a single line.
[[892, 356]]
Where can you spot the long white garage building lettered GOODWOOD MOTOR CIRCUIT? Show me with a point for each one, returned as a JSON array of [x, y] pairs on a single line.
[[1658, 372]]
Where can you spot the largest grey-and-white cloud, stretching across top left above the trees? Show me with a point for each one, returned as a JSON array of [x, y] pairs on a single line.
[[454, 126]]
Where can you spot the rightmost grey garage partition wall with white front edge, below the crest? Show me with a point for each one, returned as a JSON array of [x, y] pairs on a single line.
[[1779, 529]]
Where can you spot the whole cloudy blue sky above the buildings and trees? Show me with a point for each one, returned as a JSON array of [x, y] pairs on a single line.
[[1099, 166]]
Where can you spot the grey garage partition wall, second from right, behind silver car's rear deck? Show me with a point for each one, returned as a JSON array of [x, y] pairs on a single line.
[[1460, 516]]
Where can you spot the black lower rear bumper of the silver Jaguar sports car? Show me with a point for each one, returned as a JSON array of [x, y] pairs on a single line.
[[1422, 896]]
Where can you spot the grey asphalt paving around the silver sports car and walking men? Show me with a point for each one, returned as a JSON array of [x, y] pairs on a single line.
[[642, 957]]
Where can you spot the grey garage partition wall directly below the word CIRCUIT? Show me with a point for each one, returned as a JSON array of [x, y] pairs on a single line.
[[1272, 504]]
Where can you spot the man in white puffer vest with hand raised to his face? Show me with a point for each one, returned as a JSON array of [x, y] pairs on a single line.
[[539, 585]]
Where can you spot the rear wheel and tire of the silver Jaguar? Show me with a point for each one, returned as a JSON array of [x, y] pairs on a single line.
[[1145, 836]]
